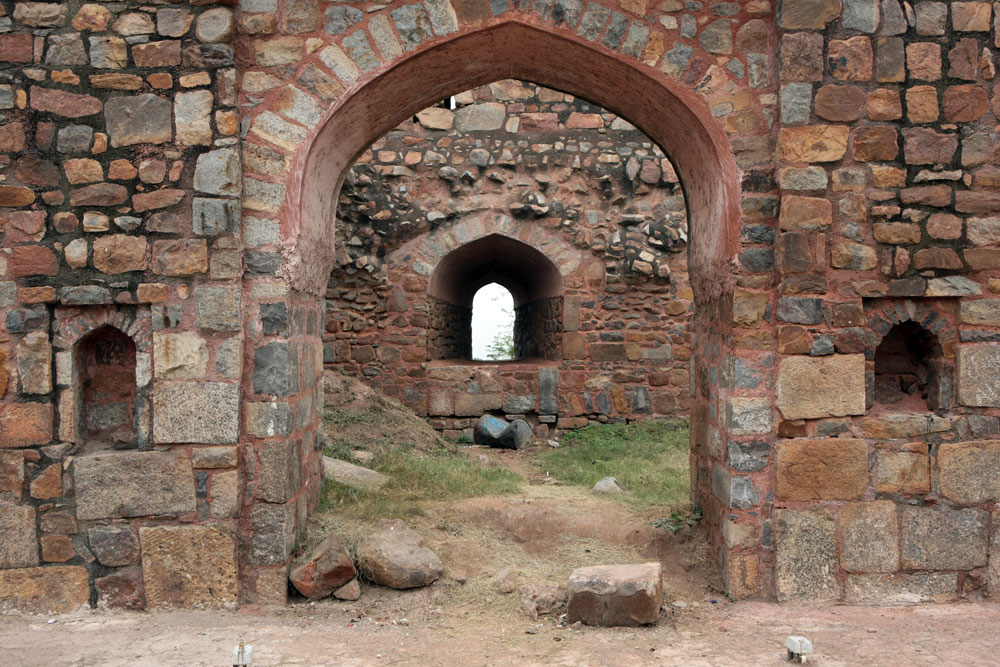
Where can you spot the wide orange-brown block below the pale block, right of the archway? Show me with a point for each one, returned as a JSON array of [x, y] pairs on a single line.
[[827, 469]]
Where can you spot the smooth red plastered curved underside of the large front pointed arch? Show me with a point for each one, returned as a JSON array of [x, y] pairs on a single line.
[[675, 117]]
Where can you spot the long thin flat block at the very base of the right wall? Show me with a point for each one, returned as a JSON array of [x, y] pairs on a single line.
[[900, 588]]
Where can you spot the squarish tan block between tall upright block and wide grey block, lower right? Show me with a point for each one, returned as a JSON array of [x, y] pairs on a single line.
[[869, 537]]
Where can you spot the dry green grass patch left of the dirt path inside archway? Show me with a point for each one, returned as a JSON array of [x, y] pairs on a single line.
[[415, 477]]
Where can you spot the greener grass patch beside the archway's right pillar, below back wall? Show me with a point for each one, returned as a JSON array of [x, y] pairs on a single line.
[[649, 459]]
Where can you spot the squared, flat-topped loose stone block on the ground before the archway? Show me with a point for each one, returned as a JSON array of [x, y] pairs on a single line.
[[612, 595]]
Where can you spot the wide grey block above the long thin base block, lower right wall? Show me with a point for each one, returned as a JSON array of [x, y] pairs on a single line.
[[940, 538]]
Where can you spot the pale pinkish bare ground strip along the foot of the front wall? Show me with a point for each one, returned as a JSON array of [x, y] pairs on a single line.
[[338, 633]]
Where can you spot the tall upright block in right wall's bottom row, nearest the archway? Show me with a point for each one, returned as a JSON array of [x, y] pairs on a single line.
[[805, 556]]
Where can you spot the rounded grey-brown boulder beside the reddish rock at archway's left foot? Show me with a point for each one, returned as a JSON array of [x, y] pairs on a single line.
[[395, 556]]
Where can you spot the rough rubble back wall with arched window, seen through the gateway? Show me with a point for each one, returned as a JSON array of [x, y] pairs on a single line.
[[592, 193]]
